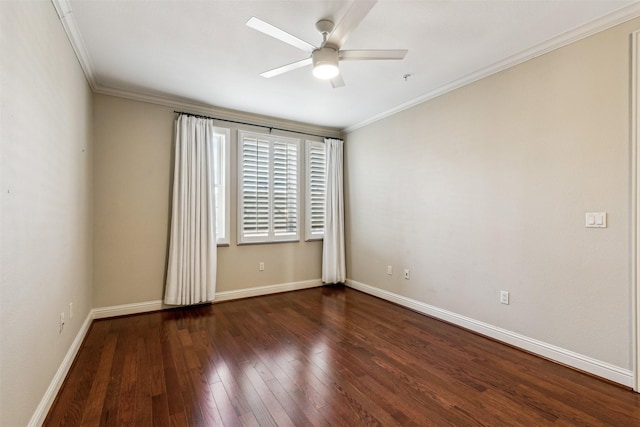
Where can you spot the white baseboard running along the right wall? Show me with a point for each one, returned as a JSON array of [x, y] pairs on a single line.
[[561, 355]]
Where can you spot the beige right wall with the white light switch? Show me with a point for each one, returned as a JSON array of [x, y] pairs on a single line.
[[486, 188]]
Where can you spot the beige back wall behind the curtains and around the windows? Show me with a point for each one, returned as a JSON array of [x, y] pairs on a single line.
[[133, 158]]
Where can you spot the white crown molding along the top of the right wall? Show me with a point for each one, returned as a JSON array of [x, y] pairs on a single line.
[[617, 17]]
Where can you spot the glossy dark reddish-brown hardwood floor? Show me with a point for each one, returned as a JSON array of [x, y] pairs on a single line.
[[318, 357]]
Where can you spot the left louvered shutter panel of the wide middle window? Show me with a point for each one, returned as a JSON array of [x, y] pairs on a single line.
[[255, 188]]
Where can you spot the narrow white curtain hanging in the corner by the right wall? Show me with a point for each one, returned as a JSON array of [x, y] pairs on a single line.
[[333, 257]]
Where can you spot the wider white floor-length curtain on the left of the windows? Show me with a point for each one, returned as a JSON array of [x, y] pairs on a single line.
[[191, 272]]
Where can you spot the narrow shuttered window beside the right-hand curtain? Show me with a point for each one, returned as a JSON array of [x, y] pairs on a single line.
[[315, 190]]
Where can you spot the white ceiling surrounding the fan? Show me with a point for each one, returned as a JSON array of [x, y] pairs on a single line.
[[201, 52]]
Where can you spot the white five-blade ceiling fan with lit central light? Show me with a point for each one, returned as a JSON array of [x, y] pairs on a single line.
[[326, 57]]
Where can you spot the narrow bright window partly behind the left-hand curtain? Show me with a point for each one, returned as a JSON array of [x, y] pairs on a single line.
[[221, 181]]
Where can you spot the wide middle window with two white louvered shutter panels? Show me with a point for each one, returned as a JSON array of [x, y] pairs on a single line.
[[268, 193]]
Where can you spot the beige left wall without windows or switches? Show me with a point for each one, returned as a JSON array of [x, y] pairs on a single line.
[[46, 203]]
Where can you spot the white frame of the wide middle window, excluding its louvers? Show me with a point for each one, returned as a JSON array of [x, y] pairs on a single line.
[[271, 235]]
